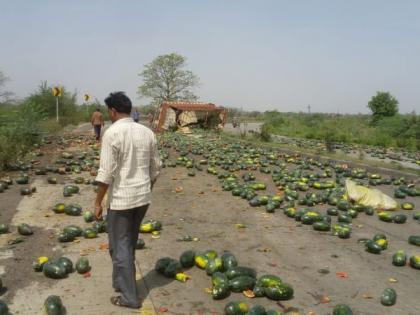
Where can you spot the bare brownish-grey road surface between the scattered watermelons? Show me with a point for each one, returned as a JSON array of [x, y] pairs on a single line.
[[271, 243]]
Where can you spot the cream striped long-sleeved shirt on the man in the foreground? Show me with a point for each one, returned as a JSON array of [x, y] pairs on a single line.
[[129, 162]]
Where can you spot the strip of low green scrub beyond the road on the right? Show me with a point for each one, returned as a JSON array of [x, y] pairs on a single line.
[[399, 130]]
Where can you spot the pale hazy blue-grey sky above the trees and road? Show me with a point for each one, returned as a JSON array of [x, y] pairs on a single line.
[[284, 55]]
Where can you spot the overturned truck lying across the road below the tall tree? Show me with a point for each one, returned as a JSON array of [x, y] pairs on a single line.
[[174, 115]]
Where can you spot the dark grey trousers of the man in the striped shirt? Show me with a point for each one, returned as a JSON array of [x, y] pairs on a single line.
[[123, 232]]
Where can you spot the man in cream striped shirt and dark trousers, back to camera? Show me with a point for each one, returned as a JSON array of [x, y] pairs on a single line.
[[129, 166]]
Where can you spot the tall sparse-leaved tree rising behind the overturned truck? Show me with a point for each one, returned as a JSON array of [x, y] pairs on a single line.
[[165, 79]]
